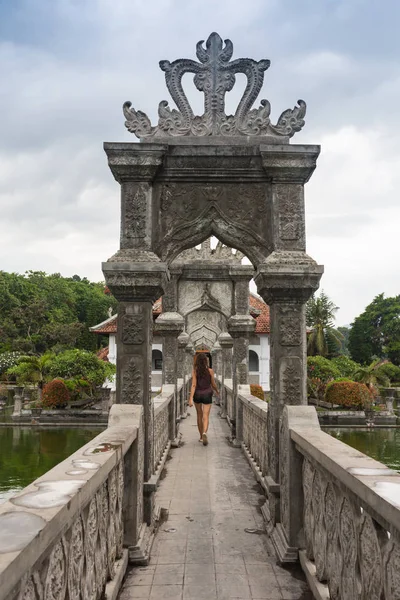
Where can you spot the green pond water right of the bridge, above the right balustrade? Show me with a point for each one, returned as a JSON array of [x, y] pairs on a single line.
[[381, 444]]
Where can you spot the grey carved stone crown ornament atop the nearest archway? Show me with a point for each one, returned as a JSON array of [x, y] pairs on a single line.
[[215, 75]]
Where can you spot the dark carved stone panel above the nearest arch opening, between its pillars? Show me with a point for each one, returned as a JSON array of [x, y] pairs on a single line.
[[235, 212]]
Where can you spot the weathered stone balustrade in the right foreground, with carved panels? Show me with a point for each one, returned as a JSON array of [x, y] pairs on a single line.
[[347, 508]]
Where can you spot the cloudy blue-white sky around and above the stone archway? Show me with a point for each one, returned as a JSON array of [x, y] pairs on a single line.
[[66, 67]]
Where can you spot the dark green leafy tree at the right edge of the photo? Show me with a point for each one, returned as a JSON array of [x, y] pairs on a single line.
[[376, 332]]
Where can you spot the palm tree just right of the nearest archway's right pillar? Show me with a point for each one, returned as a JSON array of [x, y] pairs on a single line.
[[320, 317]]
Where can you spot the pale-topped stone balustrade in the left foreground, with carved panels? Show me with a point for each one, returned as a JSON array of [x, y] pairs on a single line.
[[67, 534]]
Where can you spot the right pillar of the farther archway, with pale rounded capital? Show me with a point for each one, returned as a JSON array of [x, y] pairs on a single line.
[[240, 327]]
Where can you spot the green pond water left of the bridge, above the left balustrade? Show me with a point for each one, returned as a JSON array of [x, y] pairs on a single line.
[[26, 453]]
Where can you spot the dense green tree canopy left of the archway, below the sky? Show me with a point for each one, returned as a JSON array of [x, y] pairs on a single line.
[[40, 312]]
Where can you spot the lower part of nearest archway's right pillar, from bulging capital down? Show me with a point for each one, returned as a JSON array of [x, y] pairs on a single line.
[[285, 286]]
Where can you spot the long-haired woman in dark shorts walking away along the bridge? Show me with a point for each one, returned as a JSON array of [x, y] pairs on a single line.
[[203, 384]]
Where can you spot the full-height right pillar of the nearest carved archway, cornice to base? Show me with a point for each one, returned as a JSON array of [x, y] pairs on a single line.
[[285, 280]]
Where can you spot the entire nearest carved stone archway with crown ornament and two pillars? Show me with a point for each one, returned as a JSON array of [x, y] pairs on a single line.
[[233, 176]]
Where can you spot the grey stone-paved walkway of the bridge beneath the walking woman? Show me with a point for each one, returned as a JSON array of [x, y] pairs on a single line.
[[203, 550]]
